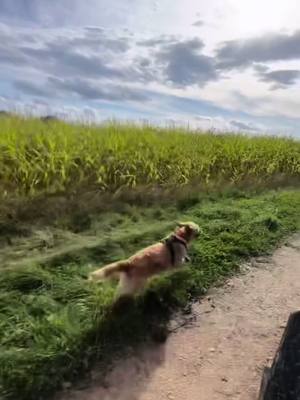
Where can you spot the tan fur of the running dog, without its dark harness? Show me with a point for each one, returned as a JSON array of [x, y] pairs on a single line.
[[155, 259]]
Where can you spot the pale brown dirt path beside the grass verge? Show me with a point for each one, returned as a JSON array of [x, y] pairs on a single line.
[[236, 331]]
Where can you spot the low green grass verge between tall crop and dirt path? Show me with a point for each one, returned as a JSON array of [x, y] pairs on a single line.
[[54, 324]]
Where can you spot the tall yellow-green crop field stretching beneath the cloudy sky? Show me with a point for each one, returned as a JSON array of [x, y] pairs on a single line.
[[48, 157]]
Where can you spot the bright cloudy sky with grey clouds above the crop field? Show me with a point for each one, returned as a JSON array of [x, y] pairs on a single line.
[[226, 64]]
